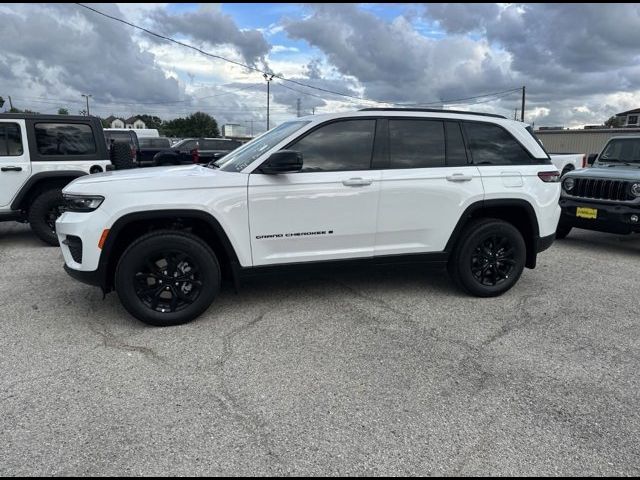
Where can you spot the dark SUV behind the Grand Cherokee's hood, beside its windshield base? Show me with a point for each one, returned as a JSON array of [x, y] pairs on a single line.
[[196, 150]]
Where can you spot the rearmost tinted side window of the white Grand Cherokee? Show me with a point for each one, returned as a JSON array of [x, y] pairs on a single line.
[[493, 145]]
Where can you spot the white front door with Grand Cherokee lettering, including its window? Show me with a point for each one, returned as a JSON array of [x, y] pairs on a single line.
[[328, 210]]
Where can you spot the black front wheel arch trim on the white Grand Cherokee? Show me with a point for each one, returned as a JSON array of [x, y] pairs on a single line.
[[133, 225]]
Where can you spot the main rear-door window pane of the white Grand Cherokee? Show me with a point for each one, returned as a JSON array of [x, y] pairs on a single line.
[[416, 143]]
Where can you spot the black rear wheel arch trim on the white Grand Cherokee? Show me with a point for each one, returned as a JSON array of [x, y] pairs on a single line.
[[519, 213]]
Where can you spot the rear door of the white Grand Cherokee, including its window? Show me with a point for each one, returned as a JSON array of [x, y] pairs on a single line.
[[426, 185]]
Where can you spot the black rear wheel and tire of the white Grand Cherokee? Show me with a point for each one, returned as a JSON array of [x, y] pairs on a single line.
[[489, 257]]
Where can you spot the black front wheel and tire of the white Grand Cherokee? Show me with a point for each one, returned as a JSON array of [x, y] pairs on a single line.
[[148, 269]]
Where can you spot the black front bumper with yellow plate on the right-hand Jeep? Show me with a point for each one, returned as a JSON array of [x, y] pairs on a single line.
[[601, 217]]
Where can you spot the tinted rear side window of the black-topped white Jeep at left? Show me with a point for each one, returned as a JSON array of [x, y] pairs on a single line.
[[64, 139]]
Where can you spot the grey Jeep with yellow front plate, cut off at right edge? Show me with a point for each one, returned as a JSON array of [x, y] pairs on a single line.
[[605, 197]]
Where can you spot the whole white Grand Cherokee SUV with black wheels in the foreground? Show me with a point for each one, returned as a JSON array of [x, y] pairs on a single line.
[[472, 191]]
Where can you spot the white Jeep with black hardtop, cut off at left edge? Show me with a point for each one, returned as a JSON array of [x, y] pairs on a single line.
[[39, 155]]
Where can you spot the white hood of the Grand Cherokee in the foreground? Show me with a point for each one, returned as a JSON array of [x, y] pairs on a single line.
[[154, 179]]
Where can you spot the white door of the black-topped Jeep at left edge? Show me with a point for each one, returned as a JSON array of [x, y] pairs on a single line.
[[15, 167]]
